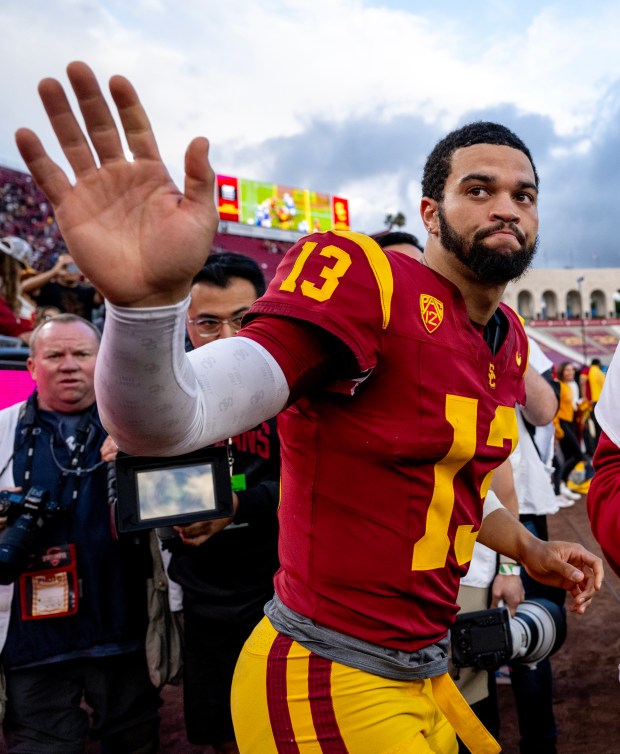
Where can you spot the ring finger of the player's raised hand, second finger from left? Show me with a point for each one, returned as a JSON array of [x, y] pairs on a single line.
[[68, 131]]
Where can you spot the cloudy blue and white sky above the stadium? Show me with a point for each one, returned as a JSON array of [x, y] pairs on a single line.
[[348, 97]]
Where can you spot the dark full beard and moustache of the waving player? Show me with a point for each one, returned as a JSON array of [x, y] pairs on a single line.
[[488, 265]]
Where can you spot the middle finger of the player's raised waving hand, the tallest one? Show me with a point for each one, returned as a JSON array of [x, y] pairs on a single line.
[[97, 115]]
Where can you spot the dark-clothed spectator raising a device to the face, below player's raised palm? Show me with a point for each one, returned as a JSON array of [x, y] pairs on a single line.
[[62, 287]]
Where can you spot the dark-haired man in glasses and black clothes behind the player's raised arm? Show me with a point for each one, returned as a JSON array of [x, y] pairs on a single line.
[[227, 565]]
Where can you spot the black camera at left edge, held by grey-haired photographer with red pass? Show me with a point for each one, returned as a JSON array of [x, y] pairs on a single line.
[[26, 515]]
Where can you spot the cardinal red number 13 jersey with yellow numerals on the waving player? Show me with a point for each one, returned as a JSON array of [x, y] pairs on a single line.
[[383, 478]]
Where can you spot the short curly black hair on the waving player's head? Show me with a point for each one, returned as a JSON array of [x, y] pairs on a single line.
[[439, 162]]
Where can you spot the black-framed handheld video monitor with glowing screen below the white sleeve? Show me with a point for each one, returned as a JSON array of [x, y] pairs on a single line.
[[154, 492]]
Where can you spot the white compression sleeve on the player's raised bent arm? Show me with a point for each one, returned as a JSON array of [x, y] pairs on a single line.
[[154, 399]]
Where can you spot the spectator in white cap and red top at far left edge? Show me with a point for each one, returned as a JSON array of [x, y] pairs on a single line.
[[14, 315]]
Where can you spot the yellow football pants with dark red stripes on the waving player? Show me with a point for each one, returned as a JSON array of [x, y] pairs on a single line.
[[287, 700]]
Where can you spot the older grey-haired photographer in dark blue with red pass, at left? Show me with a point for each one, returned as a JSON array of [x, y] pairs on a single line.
[[77, 612]]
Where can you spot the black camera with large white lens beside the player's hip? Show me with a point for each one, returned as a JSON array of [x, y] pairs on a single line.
[[487, 639]]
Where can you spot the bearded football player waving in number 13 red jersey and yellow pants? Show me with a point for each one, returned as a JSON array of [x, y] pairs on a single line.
[[396, 386]]
